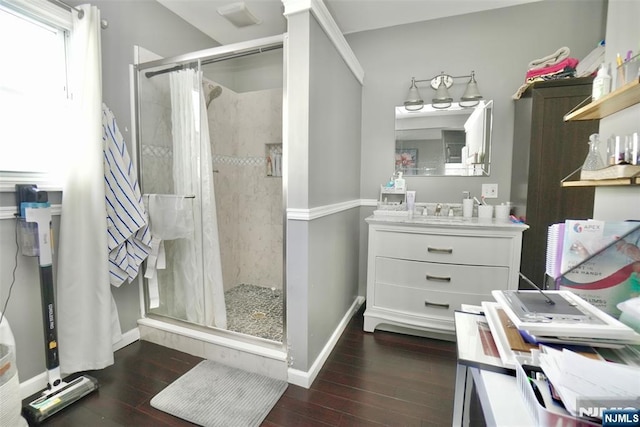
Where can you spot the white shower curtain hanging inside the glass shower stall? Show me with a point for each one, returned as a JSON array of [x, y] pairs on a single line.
[[197, 264]]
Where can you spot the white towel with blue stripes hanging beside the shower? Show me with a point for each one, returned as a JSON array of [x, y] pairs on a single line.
[[129, 239]]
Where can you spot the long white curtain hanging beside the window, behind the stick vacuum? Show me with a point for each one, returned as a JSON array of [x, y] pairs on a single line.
[[84, 301]]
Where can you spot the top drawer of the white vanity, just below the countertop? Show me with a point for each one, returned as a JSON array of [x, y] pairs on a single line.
[[476, 250]]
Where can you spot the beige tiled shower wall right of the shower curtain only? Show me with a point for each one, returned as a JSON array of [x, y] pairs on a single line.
[[249, 203]]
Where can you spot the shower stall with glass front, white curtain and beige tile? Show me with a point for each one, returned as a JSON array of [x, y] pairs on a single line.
[[209, 156]]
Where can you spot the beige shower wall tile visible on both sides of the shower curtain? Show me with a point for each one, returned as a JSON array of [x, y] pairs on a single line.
[[249, 204]]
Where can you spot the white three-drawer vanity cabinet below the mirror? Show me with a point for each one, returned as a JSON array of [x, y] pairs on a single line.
[[420, 271]]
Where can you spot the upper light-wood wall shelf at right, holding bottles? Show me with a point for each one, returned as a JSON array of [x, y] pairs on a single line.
[[618, 100]]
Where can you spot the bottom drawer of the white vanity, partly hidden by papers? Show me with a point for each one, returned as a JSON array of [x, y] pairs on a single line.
[[423, 302]]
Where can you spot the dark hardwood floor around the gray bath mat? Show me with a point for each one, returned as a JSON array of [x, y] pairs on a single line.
[[368, 380]]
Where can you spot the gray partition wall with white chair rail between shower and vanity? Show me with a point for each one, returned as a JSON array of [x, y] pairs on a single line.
[[324, 133]]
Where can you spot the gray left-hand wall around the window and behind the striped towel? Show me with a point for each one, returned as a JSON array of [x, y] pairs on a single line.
[[140, 22]]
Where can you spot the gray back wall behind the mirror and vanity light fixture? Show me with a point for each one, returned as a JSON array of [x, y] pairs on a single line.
[[497, 45]]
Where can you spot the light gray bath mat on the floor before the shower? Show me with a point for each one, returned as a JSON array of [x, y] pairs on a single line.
[[212, 394]]
